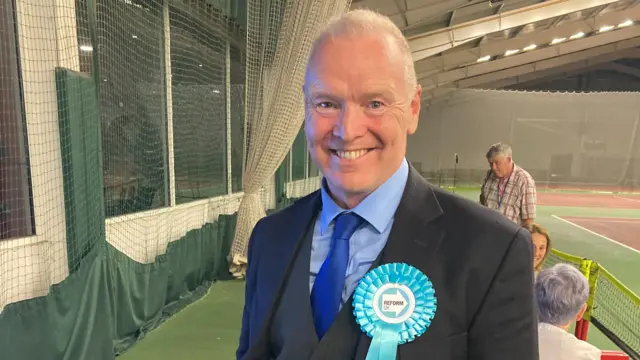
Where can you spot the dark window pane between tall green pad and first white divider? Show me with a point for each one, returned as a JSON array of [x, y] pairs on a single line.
[[131, 66]]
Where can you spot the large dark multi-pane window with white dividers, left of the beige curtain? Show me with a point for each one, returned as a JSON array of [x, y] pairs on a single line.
[[192, 82]]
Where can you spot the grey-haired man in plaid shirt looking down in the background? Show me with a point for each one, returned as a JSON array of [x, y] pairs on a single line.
[[508, 188]]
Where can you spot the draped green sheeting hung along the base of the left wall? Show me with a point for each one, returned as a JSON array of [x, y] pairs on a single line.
[[111, 301]]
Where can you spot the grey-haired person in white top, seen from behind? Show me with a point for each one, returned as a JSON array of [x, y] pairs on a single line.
[[561, 293]]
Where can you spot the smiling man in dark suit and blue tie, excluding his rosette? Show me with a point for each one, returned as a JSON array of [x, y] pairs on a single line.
[[362, 100]]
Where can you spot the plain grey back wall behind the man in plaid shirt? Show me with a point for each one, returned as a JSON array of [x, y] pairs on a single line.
[[595, 129]]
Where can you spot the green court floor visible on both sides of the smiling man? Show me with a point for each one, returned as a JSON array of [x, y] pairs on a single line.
[[209, 328]]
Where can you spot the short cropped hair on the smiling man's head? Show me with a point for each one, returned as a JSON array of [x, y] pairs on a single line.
[[367, 22]]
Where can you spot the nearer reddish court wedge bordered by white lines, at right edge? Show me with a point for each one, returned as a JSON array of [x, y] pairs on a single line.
[[623, 231]]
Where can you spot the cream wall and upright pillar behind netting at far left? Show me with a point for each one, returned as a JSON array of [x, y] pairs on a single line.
[[29, 265]]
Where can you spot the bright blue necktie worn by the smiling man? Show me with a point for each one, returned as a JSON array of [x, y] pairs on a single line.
[[327, 289]]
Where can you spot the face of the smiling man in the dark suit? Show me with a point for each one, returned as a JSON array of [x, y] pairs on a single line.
[[358, 113]]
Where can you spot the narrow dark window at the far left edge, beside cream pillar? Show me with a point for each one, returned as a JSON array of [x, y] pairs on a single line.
[[16, 212]]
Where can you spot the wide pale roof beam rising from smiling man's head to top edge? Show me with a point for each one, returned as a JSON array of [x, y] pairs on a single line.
[[434, 42]]
